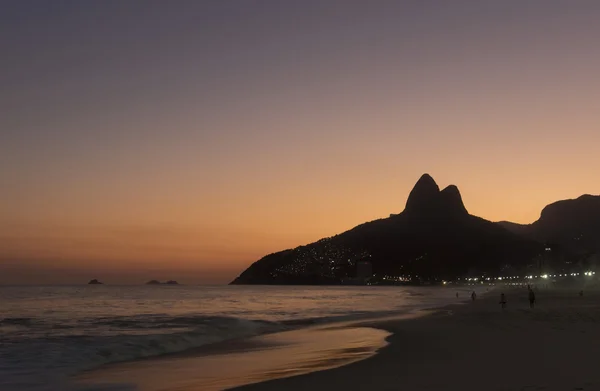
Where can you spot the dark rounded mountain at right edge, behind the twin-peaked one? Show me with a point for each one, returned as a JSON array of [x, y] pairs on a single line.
[[574, 225]]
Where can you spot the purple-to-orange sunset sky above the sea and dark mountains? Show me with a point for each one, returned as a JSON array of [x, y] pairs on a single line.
[[187, 139]]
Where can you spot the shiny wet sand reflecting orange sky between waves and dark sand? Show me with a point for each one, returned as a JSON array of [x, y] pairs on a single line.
[[281, 354]]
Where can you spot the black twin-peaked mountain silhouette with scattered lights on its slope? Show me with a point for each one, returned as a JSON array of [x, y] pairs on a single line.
[[434, 237]]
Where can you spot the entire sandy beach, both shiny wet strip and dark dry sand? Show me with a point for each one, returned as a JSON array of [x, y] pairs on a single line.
[[469, 346]]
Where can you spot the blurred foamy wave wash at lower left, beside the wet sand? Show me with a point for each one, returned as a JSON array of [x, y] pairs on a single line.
[[53, 359]]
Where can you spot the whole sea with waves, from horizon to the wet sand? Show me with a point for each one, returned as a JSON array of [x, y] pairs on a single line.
[[49, 333]]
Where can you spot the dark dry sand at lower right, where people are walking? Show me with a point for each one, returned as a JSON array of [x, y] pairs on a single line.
[[477, 346]]
